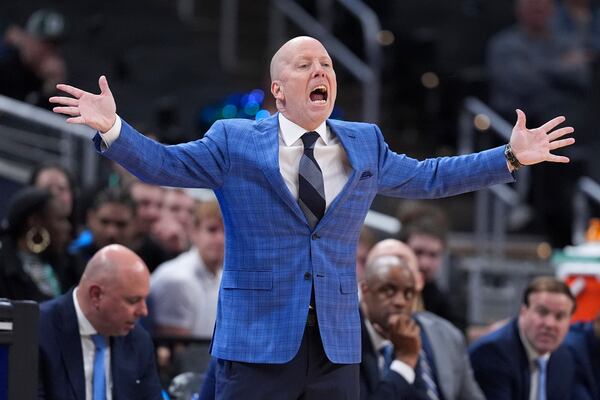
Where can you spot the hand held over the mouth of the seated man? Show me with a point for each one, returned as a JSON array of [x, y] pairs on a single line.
[[405, 335]]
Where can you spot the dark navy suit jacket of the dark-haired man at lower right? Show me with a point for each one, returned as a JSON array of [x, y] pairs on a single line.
[[501, 367]]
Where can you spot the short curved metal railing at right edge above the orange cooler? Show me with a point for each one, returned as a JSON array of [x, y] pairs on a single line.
[[587, 190]]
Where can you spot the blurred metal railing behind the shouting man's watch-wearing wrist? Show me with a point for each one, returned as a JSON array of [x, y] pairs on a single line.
[[497, 207]]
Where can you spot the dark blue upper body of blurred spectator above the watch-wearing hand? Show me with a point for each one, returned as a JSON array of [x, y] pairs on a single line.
[[533, 68]]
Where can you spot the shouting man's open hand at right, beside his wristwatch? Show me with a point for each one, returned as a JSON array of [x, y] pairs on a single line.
[[532, 146]]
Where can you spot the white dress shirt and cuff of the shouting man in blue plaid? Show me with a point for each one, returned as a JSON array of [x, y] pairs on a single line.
[[329, 153]]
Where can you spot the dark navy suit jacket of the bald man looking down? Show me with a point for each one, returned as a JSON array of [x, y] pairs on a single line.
[[134, 371]]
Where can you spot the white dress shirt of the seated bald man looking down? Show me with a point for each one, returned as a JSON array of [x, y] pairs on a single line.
[[86, 330]]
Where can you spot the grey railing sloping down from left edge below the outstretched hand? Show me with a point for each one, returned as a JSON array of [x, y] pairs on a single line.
[[30, 135]]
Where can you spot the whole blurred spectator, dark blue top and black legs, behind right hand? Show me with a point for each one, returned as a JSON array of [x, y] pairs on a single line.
[[547, 73]]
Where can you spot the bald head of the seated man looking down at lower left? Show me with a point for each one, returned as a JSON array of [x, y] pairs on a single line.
[[113, 289]]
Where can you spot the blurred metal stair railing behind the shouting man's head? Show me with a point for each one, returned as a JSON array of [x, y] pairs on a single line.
[[366, 72]]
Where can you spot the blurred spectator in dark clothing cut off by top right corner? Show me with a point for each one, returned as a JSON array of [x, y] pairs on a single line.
[[579, 18]]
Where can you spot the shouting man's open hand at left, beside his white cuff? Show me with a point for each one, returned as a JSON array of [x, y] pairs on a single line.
[[98, 111]]
